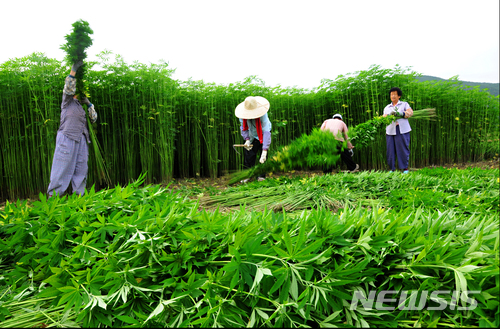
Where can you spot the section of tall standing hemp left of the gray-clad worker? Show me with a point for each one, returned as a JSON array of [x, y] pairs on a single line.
[[29, 117]]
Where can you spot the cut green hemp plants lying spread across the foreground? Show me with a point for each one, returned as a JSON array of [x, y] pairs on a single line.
[[146, 256]]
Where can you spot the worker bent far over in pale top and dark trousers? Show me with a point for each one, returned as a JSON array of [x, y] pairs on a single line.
[[338, 128]]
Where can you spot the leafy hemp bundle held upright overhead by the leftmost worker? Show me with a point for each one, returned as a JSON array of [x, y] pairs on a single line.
[[76, 44]]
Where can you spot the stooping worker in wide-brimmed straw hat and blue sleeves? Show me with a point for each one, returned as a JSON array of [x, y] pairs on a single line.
[[255, 129]]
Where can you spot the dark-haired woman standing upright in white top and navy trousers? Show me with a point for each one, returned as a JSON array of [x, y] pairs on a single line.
[[398, 133]]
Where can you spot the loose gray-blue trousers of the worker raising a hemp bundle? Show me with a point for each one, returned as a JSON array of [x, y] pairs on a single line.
[[69, 165]]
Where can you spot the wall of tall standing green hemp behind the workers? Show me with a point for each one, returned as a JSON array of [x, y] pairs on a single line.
[[149, 122]]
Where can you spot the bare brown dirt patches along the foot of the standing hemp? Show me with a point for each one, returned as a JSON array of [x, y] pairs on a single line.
[[221, 183]]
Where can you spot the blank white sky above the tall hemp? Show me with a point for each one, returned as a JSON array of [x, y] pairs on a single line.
[[286, 43]]
